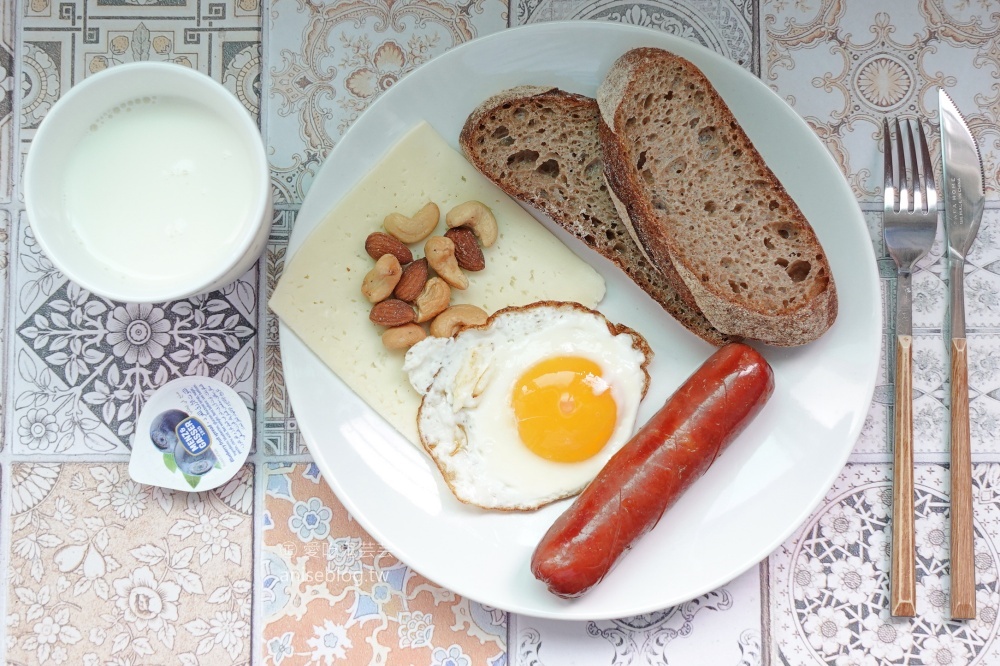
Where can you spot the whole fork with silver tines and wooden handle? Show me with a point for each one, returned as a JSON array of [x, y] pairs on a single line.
[[909, 225]]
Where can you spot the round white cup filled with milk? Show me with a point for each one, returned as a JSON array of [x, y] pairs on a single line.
[[148, 182]]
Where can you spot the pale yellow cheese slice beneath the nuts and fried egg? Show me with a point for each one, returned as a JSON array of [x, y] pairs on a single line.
[[319, 294]]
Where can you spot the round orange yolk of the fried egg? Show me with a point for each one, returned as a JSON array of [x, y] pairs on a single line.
[[564, 409]]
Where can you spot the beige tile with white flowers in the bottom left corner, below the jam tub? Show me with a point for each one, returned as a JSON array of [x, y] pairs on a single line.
[[103, 568]]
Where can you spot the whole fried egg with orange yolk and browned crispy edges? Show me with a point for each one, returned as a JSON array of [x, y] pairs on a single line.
[[527, 408]]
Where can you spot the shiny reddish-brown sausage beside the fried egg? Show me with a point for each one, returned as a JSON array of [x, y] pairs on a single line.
[[649, 474]]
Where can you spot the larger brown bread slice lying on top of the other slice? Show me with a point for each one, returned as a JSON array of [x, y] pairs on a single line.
[[696, 193]]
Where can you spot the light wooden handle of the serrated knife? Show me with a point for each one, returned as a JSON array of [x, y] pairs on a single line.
[[963, 569]]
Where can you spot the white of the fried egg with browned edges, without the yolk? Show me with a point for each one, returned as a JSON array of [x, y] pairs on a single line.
[[466, 420]]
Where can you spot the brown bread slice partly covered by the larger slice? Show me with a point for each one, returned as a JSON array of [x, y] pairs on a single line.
[[540, 146]]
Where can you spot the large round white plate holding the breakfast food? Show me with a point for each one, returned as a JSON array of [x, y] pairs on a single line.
[[754, 496]]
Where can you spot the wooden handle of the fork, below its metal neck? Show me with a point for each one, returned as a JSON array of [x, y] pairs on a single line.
[[902, 575]]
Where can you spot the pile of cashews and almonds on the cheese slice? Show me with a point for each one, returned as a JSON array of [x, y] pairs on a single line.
[[407, 292]]
